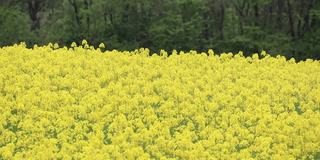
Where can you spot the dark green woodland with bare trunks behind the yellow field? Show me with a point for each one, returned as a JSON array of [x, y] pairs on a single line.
[[288, 27]]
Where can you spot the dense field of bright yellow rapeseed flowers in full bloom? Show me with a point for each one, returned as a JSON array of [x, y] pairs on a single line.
[[87, 103]]
